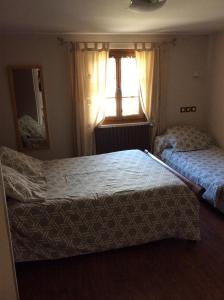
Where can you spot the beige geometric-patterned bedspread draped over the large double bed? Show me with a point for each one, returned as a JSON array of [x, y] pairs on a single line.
[[103, 202]]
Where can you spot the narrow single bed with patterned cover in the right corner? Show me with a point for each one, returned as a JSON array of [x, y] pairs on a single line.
[[203, 165]]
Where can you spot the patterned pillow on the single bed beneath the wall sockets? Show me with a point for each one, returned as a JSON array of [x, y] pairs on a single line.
[[187, 138]]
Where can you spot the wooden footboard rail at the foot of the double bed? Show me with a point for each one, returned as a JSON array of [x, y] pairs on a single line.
[[197, 189]]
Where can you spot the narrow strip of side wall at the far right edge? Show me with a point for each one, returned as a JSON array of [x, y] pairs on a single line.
[[216, 81]]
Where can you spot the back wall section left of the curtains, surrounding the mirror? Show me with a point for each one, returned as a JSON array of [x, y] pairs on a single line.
[[43, 50]]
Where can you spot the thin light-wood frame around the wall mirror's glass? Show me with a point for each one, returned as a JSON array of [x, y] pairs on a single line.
[[14, 106]]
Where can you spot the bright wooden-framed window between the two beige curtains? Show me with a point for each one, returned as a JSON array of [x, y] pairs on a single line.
[[123, 101]]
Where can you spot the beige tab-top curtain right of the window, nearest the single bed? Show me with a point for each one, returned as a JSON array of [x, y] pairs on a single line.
[[151, 68]]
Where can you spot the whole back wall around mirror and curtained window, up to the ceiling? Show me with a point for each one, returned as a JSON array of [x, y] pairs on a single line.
[[189, 56]]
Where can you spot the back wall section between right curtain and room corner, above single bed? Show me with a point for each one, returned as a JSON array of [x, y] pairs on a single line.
[[189, 57]]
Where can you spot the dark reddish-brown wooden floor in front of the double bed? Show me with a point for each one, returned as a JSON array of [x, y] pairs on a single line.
[[168, 269]]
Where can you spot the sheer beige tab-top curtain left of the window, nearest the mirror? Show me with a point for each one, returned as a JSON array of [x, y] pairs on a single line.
[[90, 68]]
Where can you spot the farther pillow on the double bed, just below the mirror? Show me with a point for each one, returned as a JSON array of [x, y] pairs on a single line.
[[24, 164]]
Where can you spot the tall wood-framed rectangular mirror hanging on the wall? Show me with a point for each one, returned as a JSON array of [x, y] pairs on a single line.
[[28, 100]]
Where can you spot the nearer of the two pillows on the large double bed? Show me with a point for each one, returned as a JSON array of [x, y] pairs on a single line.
[[22, 188]]
